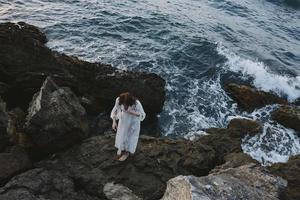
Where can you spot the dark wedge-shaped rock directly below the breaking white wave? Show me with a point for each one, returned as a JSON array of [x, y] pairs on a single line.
[[250, 99]]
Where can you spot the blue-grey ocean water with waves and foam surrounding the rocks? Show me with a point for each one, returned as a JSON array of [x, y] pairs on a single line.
[[196, 46]]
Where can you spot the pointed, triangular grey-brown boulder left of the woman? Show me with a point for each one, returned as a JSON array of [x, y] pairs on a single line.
[[55, 119]]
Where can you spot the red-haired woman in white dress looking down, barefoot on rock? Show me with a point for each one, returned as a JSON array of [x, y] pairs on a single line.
[[129, 113]]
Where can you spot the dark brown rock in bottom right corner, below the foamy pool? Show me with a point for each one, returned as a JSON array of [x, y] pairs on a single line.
[[291, 172]]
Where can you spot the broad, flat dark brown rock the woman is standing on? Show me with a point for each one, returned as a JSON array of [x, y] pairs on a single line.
[[93, 164]]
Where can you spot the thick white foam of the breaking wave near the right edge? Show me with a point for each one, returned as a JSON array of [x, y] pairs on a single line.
[[263, 79]]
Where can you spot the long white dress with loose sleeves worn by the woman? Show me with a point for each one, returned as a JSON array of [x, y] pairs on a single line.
[[128, 126]]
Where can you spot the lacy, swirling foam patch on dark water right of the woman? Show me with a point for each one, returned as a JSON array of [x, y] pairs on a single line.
[[204, 104]]
